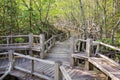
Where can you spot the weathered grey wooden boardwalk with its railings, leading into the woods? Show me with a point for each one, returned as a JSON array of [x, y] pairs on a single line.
[[59, 61]]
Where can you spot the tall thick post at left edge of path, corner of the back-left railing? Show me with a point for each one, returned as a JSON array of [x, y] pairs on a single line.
[[42, 46]]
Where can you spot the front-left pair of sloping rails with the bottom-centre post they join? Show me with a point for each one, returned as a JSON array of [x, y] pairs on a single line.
[[55, 66]]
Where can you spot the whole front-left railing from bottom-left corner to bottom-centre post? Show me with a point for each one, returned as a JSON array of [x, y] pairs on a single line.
[[32, 65]]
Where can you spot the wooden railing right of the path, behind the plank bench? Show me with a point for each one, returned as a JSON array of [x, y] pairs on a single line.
[[94, 46]]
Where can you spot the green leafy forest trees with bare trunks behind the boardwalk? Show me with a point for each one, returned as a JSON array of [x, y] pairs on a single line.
[[97, 19]]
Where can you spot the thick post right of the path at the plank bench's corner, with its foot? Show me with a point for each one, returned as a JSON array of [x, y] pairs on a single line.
[[88, 51]]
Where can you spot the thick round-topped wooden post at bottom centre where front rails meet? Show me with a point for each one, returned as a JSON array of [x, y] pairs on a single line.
[[57, 74]]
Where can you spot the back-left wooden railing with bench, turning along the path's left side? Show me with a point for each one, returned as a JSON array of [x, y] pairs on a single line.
[[30, 42]]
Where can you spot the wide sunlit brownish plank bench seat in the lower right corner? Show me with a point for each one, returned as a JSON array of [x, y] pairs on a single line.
[[106, 67]]
